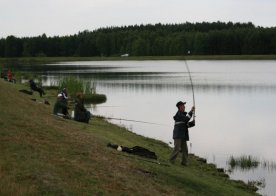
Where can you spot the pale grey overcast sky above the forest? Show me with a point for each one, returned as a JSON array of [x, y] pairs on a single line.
[[67, 17]]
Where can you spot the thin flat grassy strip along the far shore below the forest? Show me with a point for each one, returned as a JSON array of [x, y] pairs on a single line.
[[32, 60]]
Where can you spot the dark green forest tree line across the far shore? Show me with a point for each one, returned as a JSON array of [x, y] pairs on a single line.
[[217, 38]]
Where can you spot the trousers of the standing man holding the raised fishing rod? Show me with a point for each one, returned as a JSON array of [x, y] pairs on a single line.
[[180, 145]]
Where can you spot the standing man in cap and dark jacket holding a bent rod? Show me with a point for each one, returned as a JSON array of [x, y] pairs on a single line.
[[181, 132]]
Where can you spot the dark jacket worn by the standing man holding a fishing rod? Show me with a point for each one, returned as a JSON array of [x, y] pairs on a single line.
[[182, 124]]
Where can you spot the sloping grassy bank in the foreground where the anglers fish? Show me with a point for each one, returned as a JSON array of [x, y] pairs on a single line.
[[45, 155]]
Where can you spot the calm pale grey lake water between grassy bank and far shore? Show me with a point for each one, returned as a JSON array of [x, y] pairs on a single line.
[[235, 105]]
